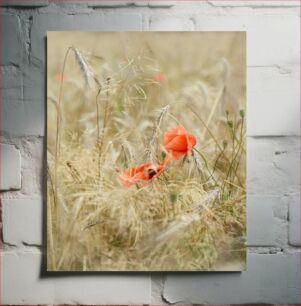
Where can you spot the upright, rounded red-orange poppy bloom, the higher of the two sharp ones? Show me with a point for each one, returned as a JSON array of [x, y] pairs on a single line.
[[178, 142]]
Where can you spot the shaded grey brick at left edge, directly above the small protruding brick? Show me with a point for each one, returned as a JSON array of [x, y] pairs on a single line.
[[23, 102]]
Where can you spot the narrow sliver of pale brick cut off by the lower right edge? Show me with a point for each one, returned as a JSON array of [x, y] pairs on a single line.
[[294, 220]]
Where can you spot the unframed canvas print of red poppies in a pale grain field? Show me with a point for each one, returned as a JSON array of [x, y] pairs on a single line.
[[146, 151]]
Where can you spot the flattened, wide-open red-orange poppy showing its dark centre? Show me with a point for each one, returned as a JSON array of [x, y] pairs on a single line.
[[144, 172]]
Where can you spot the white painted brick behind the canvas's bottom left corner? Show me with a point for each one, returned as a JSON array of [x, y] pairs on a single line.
[[22, 283]]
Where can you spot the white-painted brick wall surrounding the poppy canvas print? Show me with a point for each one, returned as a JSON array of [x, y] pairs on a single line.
[[273, 151]]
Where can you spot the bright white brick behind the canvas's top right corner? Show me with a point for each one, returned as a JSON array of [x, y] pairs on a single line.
[[268, 36]]
